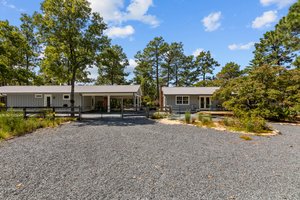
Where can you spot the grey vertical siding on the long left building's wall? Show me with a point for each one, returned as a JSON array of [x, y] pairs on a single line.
[[29, 100]]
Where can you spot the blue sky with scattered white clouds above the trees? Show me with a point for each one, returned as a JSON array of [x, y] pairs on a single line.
[[227, 28]]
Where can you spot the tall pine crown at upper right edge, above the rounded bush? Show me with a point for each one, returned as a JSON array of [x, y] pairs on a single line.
[[281, 46]]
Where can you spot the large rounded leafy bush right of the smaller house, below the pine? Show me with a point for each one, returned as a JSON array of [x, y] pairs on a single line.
[[269, 92]]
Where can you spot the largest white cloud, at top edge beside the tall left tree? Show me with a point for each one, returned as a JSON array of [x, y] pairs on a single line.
[[115, 12]]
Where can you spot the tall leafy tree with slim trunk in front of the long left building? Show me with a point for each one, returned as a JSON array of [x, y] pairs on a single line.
[[72, 36]]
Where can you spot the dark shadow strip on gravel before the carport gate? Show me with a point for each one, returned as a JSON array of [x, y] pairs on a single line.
[[132, 121]]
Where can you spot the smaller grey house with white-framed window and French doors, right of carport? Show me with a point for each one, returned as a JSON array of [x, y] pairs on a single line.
[[181, 99]]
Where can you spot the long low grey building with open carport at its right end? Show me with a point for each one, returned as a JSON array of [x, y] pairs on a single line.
[[104, 98]]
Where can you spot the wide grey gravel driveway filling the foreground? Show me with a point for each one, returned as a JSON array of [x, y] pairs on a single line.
[[140, 159]]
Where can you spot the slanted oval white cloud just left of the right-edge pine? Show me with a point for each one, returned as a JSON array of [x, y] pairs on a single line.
[[265, 20]]
